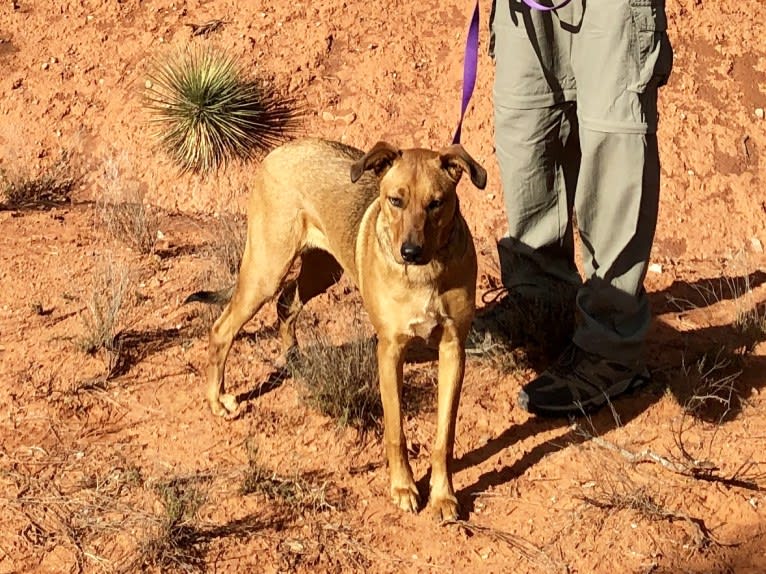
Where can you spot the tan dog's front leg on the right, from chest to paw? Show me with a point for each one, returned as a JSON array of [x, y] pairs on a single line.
[[451, 369]]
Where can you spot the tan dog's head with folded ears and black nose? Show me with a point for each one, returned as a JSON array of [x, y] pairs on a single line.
[[418, 197]]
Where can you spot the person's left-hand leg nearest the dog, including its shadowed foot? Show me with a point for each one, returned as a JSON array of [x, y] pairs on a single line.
[[536, 137]]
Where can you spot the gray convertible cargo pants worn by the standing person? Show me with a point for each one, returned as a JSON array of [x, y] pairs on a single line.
[[575, 129]]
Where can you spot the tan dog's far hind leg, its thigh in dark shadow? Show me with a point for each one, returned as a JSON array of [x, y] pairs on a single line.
[[319, 271]]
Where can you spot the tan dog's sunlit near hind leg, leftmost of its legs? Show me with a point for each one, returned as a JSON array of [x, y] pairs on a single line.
[[264, 267]]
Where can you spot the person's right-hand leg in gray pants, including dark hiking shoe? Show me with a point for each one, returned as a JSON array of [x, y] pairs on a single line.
[[620, 57]]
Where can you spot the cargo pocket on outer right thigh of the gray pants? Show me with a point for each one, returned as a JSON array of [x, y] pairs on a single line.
[[652, 52]]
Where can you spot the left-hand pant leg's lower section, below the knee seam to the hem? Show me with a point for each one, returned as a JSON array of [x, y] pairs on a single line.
[[538, 154]]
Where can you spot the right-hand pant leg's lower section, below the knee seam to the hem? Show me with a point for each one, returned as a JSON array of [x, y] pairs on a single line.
[[616, 204]]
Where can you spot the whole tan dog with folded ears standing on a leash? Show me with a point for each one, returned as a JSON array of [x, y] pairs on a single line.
[[390, 219]]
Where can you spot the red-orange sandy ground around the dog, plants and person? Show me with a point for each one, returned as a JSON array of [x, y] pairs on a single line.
[[72, 78]]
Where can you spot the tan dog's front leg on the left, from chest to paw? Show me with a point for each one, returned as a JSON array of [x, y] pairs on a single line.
[[391, 370]]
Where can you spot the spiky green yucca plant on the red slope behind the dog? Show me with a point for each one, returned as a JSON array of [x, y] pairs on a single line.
[[208, 112]]
